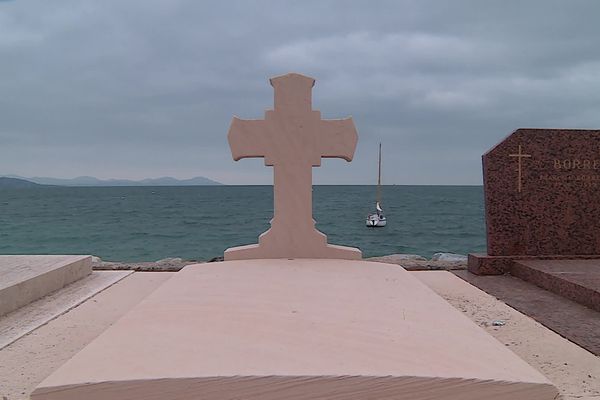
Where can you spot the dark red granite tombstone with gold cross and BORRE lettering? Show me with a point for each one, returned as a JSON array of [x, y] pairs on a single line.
[[542, 198]]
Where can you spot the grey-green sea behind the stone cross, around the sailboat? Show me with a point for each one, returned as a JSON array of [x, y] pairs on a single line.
[[199, 222]]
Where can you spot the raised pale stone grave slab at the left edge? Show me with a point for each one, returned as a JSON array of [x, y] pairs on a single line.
[[24, 279]]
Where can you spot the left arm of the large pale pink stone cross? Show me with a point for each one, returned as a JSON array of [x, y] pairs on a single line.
[[247, 138]]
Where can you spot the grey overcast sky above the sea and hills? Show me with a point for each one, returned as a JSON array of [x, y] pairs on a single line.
[[135, 89]]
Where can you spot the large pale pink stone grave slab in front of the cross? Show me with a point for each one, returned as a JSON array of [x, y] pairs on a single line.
[[302, 329]]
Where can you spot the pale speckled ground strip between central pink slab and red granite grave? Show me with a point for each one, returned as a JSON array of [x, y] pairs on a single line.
[[574, 371]]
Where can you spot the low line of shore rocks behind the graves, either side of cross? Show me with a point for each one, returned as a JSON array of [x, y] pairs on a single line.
[[411, 262]]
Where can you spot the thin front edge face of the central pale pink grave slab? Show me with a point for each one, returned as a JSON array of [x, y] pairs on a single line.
[[304, 388]]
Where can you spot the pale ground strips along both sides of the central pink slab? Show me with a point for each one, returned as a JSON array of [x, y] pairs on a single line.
[[26, 362]]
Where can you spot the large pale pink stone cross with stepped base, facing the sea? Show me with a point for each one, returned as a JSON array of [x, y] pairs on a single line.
[[292, 139]]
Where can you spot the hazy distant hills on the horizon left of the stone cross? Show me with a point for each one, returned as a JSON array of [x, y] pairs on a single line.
[[91, 181]]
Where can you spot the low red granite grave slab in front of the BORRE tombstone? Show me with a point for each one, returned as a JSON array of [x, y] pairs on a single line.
[[577, 280]]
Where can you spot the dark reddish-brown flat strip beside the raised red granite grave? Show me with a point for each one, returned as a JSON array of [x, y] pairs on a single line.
[[575, 322]]
